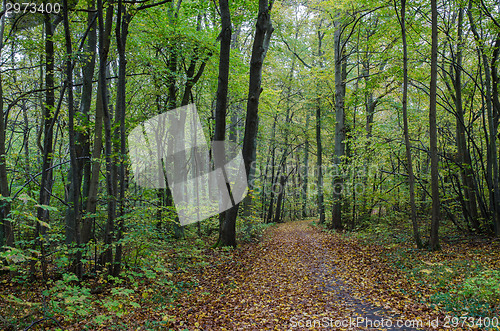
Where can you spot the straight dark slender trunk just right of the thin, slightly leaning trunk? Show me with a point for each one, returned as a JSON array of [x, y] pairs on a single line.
[[434, 240]]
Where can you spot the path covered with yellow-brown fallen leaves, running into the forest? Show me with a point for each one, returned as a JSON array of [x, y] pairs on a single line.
[[298, 277]]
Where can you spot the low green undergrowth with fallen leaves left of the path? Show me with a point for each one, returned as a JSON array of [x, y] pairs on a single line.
[[147, 283]]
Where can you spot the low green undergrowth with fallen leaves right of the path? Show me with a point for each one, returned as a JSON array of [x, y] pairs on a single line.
[[463, 279]]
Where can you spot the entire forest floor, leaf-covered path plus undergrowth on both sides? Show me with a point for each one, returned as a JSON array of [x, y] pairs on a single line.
[[297, 276]]
